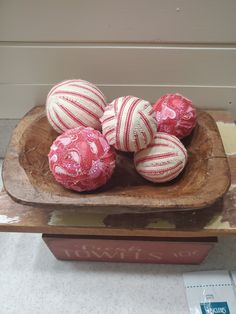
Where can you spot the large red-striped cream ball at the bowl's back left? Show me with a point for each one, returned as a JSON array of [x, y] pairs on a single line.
[[75, 103]]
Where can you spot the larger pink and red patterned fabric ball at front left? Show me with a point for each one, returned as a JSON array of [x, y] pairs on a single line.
[[81, 159]]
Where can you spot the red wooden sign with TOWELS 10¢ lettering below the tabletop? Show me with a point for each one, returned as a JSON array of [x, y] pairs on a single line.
[[130, 249]]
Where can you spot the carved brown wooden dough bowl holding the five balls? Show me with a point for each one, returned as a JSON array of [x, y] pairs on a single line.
[[28, 180]]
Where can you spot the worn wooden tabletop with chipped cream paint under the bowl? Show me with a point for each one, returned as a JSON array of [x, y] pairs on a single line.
[[219, 219]]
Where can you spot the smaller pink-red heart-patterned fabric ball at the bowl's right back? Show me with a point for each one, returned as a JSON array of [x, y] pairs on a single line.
[[175, 115]]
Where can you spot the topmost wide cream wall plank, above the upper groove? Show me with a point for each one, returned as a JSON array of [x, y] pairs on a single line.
[[175, 21]]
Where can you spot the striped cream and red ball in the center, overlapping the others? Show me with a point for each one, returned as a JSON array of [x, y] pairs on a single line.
[[128, 123]]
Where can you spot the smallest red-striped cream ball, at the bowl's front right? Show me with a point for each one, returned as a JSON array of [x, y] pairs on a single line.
[[162, 160]]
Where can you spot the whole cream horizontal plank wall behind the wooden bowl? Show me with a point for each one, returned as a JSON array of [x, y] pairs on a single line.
[[145, 48]]
